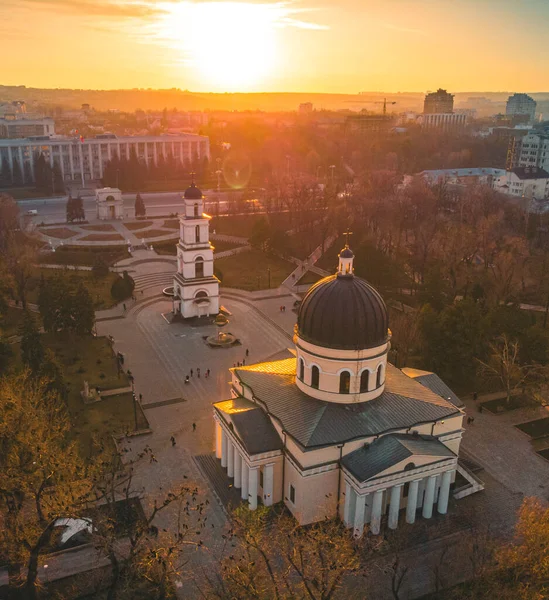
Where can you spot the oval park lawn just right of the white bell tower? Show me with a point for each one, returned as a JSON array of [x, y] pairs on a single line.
[[248, 270]]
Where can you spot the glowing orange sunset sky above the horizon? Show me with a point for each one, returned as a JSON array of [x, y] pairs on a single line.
[[306, 45]]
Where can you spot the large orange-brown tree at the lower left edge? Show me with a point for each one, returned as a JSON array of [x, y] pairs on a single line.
[[43, 477]]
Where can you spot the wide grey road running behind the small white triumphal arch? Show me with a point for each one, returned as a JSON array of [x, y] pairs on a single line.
[[53, 210]]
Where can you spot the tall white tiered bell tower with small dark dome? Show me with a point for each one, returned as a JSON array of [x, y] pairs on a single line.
[[196, 288]]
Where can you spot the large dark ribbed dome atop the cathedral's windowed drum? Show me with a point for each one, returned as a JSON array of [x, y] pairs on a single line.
[[343, 312]]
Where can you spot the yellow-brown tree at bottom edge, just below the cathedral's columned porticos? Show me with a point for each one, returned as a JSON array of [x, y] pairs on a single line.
[[284, 560]]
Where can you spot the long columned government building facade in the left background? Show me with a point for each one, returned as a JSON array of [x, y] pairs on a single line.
[[84, 160]]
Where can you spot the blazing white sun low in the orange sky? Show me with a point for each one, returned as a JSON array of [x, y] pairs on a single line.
[[232, 45]]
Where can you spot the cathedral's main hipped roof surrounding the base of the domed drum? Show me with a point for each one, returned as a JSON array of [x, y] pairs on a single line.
[[404, 403]]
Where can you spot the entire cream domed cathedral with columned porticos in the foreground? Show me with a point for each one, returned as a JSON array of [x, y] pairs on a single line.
[[336, 429]]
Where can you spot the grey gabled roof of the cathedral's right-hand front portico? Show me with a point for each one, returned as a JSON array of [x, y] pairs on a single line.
[[388, 451]]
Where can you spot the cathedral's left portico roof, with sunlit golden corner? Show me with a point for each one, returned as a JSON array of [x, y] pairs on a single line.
[[252, 426]]
